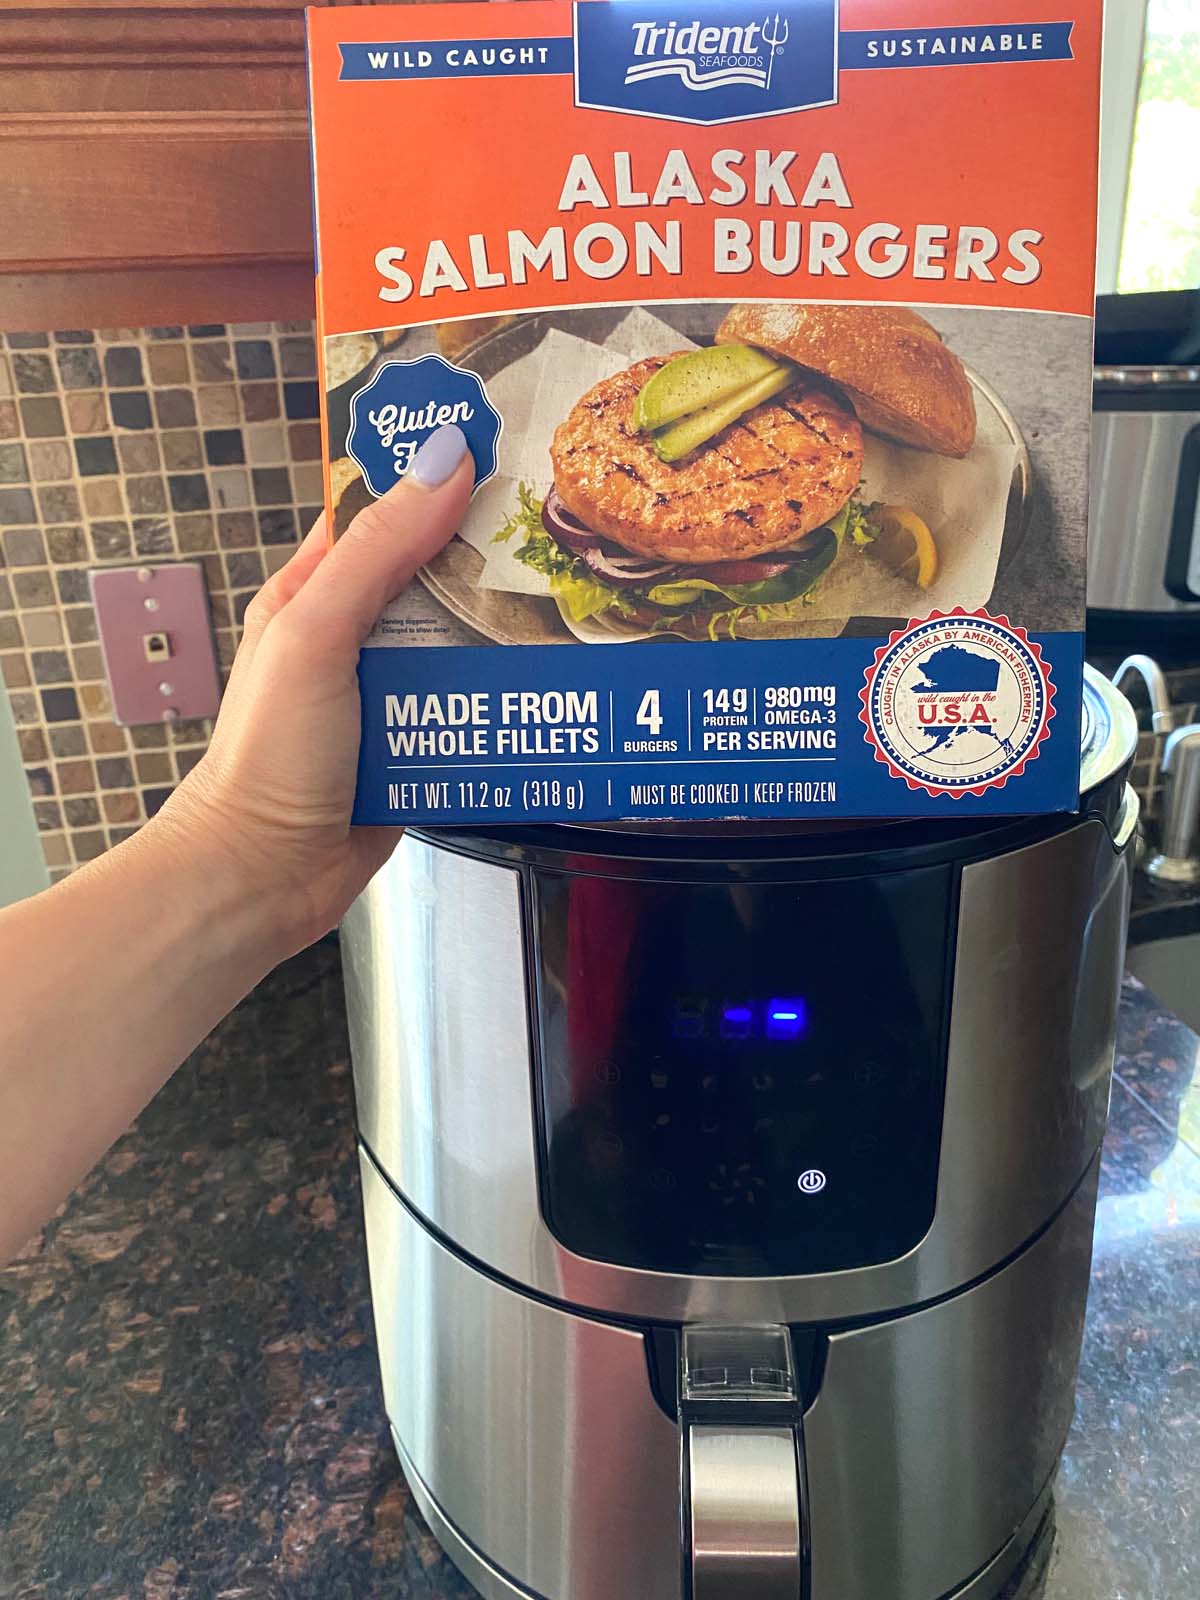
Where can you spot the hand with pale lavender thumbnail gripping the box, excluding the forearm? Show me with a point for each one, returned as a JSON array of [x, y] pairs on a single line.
[[271, 801]]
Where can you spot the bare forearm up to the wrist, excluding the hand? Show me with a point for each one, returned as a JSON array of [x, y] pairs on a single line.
[[108, 983]]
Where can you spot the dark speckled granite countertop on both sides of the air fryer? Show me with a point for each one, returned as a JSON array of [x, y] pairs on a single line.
[[190, 1401]]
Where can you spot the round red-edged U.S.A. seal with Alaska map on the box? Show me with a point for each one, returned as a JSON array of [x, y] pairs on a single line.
[[958, 705]]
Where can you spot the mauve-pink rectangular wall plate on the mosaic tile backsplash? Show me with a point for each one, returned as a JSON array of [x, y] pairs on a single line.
[[158, 641]]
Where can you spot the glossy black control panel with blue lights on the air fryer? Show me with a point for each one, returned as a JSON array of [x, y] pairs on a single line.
[[742, 1079]]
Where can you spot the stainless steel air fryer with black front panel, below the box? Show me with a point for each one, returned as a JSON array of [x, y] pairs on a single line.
[[730, 1194]]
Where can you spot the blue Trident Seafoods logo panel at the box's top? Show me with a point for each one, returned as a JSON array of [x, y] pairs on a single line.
[[708, 65]]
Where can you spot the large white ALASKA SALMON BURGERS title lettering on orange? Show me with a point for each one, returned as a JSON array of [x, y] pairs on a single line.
[[783, 247]]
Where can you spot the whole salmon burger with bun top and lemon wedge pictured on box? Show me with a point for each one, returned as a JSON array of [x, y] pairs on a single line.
[[708, 494]]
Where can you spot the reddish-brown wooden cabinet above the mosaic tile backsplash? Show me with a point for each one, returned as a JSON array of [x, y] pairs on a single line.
[[154, 162]]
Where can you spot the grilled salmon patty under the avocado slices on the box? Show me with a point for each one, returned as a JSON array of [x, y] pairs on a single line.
[[759, 486]]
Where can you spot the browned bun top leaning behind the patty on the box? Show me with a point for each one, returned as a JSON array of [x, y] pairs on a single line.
[[903, 382]]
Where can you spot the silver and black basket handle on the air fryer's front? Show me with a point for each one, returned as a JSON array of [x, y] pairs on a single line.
[[745, 1518]]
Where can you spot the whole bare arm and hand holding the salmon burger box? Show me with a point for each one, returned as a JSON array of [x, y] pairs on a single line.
[[110, 980]]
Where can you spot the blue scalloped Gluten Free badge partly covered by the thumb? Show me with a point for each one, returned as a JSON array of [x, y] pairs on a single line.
[[404, 404]]
